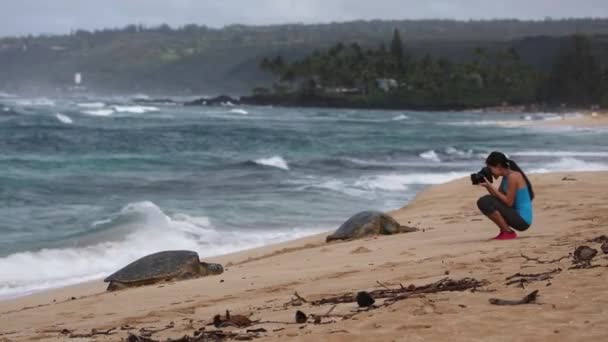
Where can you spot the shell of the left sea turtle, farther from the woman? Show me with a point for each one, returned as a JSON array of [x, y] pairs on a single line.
[[158, 265]]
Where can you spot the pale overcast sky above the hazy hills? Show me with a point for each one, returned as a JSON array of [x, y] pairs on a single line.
[[19, 17]]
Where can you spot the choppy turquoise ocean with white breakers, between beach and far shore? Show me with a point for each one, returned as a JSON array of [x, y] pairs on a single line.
[[89, 184]]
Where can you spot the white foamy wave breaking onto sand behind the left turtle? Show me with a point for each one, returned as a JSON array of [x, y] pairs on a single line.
[[150, 230]]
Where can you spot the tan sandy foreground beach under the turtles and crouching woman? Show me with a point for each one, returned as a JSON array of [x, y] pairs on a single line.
[[453, 242]]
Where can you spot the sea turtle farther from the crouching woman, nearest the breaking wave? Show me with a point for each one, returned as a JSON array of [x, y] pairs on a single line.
[[159, 267]]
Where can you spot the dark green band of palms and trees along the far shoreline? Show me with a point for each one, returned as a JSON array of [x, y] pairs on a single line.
[[348, 75]]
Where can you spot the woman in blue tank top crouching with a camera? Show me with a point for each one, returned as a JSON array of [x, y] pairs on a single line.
[[509, 206]]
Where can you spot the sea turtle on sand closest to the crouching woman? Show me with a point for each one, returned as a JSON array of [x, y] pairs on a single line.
[[368, 223]]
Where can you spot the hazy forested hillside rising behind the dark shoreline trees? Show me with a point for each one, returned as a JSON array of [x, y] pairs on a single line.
[[198, 59]]
